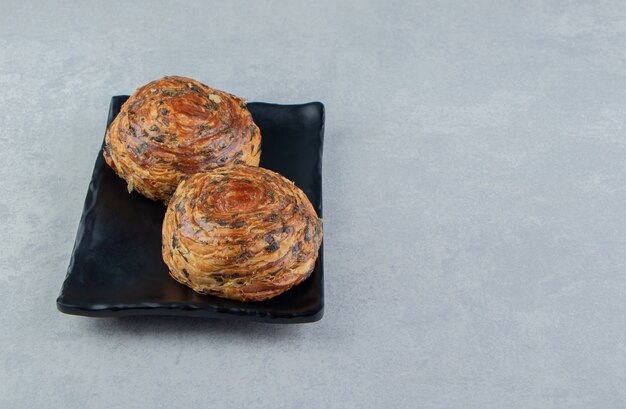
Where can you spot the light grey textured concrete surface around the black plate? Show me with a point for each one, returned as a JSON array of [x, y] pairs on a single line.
[[475, 169]]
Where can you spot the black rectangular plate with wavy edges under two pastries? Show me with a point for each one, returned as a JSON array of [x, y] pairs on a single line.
[[116, 267]]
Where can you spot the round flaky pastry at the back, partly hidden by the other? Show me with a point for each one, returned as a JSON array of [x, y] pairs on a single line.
[[174, 127]]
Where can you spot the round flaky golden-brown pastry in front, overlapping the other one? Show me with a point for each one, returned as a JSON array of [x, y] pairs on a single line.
[[240, 232]]
